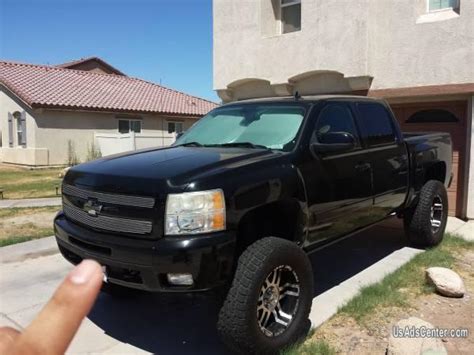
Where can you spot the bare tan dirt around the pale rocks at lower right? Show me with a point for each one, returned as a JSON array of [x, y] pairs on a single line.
[[347, 336]]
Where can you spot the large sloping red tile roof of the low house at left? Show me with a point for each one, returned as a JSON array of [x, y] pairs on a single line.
[[52, 87]]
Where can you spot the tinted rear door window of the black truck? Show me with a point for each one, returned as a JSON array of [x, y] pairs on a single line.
[[376, 124]]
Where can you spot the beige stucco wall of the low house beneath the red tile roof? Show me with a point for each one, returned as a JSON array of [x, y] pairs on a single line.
[[48, 132]]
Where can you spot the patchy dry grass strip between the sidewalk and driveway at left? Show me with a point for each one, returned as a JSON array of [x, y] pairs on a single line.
[[22, 224]]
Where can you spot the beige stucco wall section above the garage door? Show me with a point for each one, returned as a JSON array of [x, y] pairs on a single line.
[[404, 53]]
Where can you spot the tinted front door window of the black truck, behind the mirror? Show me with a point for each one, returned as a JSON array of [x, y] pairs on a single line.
[[335, 118]]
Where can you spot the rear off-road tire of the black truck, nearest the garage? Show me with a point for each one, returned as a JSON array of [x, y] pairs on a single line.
[[416, 220]]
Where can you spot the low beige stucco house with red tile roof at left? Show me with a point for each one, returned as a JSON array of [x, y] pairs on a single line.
[[47, 111]]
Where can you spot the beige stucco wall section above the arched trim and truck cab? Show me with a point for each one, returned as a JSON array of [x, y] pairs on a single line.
[[244, 49]]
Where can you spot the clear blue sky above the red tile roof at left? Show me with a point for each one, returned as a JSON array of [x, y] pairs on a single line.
[[167, 41]]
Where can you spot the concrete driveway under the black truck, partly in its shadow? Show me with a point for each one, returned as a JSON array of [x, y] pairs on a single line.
[[185, 324]]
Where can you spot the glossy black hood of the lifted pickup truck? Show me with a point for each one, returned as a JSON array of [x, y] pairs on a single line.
[[158, 171]]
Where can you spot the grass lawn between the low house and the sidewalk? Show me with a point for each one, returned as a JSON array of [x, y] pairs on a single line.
[[18, 183]]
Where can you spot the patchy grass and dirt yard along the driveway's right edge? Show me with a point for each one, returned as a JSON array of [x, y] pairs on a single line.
[[366, 318]]
